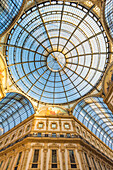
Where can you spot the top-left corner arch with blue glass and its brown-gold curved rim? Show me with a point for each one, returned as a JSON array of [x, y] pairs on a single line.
[[10, 12]]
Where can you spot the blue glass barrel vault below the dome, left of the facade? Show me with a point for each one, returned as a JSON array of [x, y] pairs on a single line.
[[14, 108]]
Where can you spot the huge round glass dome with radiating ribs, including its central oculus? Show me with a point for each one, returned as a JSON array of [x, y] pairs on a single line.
[[57, 52]]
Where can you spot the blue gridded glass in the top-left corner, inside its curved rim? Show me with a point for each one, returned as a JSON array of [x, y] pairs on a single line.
[[8, 11]]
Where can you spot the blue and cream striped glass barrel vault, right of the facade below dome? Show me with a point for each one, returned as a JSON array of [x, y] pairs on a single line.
[[96, 116]]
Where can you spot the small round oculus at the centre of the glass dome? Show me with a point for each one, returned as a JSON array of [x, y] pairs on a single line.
[[56, 61]]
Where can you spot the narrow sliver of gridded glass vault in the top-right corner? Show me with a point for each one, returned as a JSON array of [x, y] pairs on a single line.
[[109, 15]]
